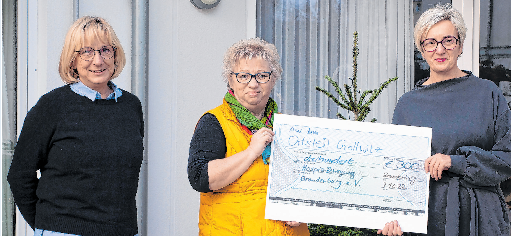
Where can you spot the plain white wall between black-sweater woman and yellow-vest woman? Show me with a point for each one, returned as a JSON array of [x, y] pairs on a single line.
[[186, 47]]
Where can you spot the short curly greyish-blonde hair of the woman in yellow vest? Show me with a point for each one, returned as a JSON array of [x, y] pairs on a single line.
[[248, 49]]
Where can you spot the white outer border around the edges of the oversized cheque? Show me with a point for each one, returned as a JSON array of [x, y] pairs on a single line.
[[344, 214]]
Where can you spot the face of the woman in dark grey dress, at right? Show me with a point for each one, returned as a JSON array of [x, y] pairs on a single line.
[[442, 62]]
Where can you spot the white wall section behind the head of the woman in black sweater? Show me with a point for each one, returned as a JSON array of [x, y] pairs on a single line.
[[42, 27]]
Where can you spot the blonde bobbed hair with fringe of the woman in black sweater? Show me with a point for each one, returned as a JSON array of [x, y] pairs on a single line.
[[88, 27]]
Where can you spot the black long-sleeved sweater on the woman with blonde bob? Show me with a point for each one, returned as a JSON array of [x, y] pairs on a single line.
[[89, 154]]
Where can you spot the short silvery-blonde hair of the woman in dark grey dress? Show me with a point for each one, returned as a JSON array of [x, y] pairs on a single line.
[[435, 15]]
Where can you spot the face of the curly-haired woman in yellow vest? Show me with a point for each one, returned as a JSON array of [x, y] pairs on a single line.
[[252, 95]]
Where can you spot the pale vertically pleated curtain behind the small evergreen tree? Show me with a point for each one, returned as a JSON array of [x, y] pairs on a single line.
[[315, 38]]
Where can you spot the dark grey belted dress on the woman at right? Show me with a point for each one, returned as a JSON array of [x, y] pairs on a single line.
[[472, 123]]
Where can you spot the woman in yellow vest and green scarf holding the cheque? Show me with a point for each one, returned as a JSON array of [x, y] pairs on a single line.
[[229, 150]]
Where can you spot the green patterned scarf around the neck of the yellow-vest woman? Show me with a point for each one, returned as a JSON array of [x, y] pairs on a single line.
[[249, 122]]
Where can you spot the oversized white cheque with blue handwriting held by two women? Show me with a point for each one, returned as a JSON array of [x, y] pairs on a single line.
[[348, 173]]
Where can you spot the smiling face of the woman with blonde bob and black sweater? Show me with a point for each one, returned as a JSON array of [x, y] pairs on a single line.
[[96, 72]]
